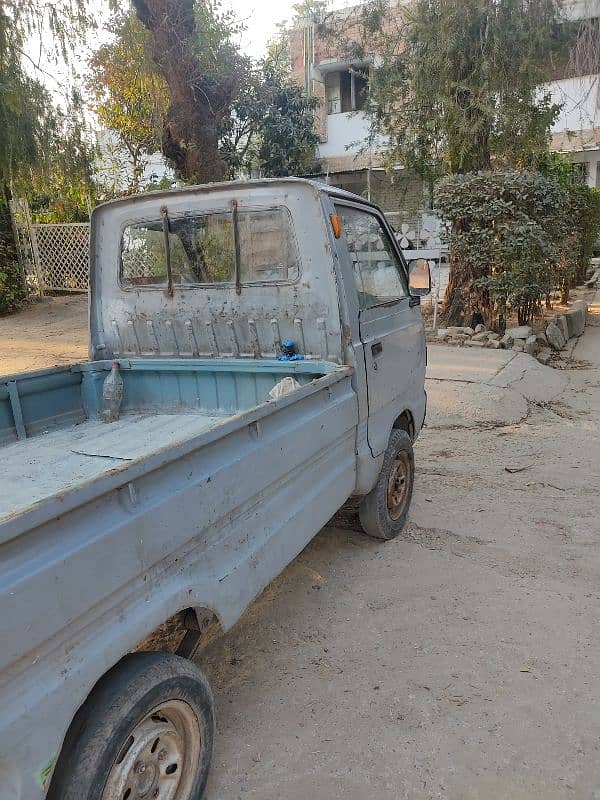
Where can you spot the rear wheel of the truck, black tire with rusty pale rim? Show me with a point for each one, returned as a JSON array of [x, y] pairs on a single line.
[[100, 742]]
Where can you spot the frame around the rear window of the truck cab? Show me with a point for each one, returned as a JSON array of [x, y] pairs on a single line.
[[174, 215]]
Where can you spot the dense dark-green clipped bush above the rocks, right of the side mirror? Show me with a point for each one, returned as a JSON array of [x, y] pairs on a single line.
[[511, 238]]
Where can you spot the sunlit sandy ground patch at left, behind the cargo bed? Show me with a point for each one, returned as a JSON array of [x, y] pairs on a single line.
[[47, 333]]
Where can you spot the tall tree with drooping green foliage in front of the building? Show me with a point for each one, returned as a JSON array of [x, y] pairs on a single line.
[[456, 83]]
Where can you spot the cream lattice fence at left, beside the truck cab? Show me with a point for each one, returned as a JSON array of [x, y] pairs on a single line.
[[55, 257]]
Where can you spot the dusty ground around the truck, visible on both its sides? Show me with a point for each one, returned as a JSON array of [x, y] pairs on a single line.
[[460, 661]]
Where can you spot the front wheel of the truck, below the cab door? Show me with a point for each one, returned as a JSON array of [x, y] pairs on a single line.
[[380, 516]]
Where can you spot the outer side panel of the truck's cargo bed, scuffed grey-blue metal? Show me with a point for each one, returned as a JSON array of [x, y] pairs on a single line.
[[209, 529]]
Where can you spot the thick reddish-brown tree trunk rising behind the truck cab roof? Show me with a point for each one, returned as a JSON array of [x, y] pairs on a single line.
[[190, 140]]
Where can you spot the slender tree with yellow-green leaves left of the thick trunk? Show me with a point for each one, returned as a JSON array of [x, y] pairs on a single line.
[[129, 97]]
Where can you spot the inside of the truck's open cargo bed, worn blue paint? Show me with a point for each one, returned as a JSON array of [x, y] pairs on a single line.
[[61, 443]]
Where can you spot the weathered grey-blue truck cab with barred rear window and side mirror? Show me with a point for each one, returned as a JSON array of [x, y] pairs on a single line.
[[320, 266]]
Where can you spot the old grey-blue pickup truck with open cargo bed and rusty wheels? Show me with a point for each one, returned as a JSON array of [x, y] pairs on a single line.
[[270, 343]]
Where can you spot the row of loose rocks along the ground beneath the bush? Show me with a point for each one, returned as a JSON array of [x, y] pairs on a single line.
[[522, 338]]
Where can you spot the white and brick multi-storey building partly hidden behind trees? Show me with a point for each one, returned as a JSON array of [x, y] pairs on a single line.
[[350, 160]]
